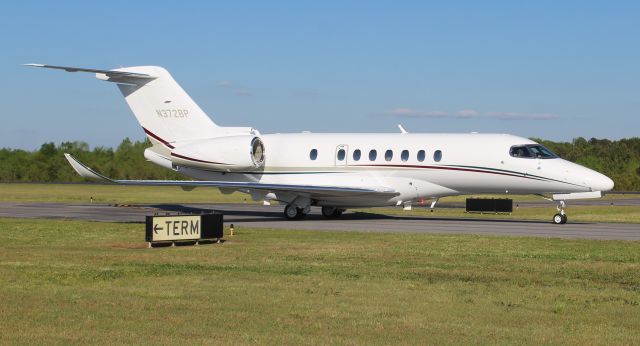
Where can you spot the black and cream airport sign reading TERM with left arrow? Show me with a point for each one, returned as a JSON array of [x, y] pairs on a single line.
[[172, 228]]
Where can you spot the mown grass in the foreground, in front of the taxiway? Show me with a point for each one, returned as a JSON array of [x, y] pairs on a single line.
[[71, 282]]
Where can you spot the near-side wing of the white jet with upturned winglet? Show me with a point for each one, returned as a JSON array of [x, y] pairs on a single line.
[[308, 190]]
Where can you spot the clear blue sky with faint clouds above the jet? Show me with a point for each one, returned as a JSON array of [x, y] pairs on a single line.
[[551, 69]]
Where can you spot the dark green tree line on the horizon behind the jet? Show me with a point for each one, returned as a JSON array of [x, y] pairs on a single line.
[[618, 159]]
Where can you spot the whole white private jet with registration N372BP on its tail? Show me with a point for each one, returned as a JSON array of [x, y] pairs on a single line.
[[333, 170]]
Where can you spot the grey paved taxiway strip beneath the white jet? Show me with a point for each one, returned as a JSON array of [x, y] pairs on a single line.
[[256, 215]]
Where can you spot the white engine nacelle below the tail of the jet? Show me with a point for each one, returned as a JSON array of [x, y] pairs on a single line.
[[233, 153]]
